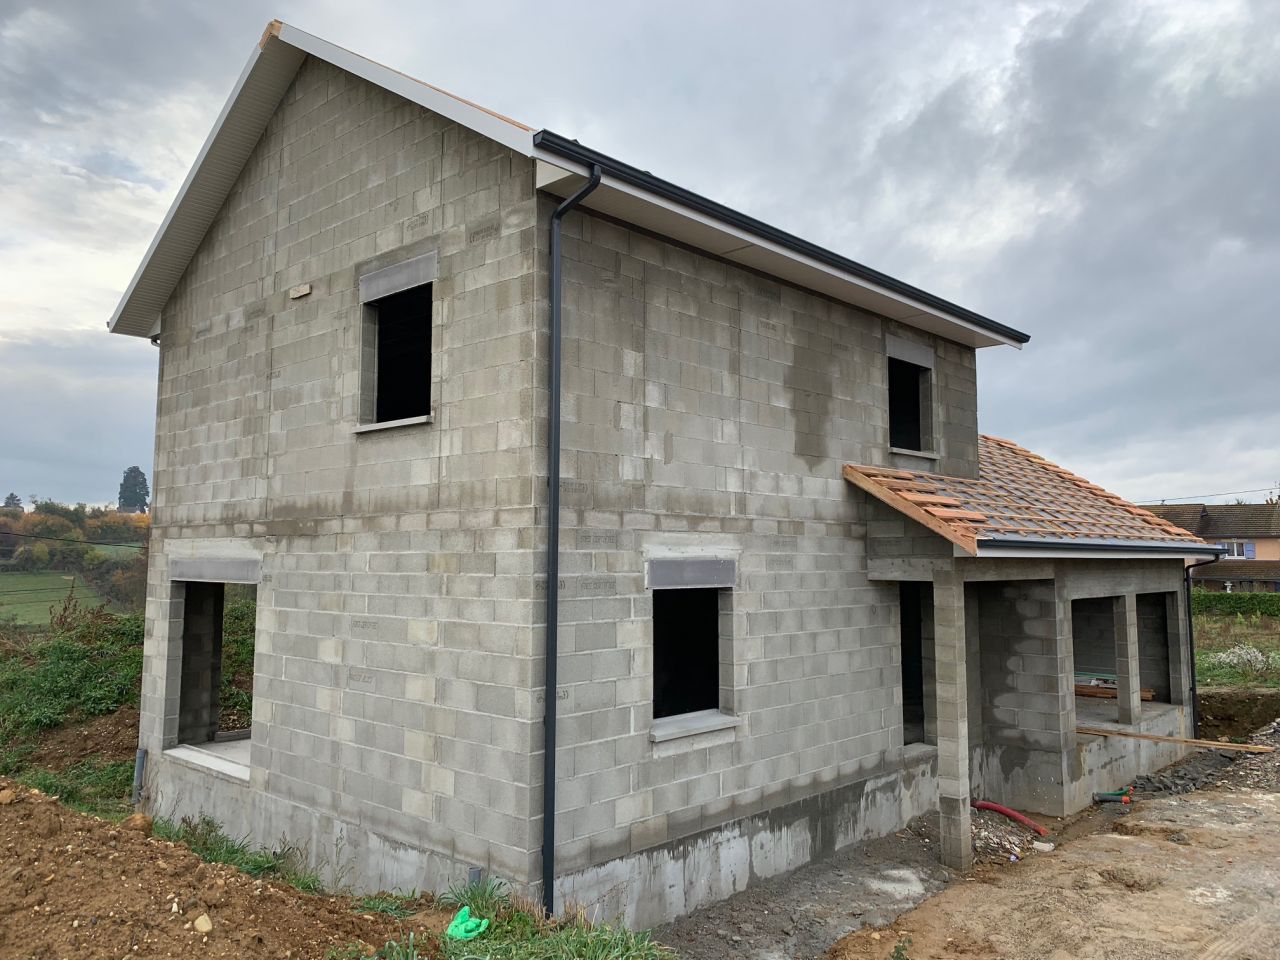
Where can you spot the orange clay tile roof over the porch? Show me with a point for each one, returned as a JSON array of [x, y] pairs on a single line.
[[1022, 500]]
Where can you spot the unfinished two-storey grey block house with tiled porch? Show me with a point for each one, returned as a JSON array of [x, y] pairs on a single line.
[[522, 447]]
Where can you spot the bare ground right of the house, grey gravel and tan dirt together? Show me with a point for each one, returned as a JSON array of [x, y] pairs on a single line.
[[1191, 870]]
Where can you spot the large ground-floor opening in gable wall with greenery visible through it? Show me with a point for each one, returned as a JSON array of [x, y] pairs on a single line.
[[218, 632]]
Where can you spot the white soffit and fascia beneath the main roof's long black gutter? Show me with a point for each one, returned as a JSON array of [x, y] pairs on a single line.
[[563, 177]]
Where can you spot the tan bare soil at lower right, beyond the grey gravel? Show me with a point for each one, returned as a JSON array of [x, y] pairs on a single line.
[[1182, 877]]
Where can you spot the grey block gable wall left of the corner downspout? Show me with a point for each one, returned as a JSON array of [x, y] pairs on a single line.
[[397, 604]]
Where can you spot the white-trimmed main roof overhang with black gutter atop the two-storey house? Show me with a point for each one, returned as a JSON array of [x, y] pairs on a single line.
[[563, 164]]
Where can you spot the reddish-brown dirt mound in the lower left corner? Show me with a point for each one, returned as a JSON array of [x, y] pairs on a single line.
[[77, 886]]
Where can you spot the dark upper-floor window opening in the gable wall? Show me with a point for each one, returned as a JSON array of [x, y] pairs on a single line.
[[404, 377]]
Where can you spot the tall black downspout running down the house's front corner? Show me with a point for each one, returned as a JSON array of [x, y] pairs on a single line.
[[554, 552]]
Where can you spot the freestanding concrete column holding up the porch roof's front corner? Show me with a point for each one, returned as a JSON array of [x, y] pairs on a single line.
[[953, 719]]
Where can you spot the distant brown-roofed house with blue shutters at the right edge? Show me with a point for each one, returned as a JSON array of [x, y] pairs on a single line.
[[1250, 533]]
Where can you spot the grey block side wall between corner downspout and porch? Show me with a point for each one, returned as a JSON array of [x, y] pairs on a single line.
[[708, 412]]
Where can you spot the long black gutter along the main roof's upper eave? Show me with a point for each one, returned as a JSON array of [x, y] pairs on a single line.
[[575, 152]]
